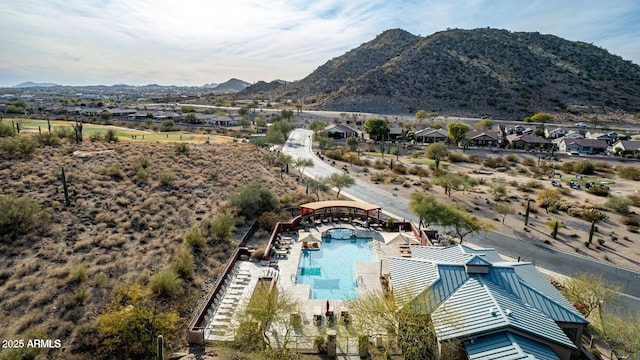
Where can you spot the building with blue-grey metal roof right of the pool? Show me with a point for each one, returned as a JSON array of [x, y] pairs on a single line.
[[490, 305]]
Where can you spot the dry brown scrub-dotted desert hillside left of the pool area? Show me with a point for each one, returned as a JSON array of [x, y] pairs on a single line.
[[131, 204]]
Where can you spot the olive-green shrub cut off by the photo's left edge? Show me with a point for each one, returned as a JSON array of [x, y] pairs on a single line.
[[21, 215]]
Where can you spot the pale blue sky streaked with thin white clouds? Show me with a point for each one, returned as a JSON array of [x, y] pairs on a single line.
[[194, 42]]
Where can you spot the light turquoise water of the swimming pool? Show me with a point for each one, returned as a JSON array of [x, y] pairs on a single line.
[[330, 270]]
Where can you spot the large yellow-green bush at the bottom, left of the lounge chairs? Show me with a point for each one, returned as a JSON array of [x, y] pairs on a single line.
[[133, 334]]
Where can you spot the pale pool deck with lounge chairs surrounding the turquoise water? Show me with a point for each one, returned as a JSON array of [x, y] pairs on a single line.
[[239, 287]]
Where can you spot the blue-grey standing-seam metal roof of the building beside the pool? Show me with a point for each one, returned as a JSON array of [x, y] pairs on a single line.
[[465, 304]]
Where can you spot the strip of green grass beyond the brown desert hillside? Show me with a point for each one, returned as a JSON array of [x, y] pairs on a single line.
[[122, 133]]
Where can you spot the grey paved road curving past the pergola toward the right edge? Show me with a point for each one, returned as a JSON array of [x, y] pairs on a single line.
[[299, 146]]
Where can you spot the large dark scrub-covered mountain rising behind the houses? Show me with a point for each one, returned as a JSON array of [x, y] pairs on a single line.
[[491, 72]]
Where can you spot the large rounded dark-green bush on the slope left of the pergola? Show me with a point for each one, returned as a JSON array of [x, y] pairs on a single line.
[[253, 199]]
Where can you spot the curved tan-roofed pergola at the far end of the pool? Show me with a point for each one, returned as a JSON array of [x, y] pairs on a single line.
[[323, 209]]
